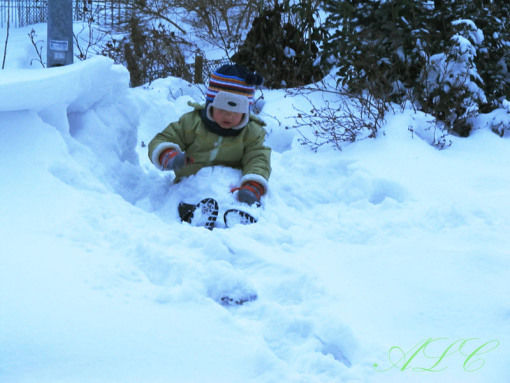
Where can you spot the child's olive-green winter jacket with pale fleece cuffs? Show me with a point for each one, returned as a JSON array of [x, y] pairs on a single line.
[[246, 151]]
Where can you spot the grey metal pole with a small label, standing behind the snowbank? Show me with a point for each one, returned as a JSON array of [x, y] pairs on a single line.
[[60, 33]]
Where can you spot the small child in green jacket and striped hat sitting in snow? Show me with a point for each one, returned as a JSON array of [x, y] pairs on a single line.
[[220, 133]]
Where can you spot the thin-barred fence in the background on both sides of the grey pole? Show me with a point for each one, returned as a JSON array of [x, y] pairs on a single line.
[[26, 12]]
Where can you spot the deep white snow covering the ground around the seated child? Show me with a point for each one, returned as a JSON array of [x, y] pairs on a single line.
[[386, 262]]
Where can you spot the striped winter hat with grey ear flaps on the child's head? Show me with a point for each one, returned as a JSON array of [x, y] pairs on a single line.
[[231, 88]]
